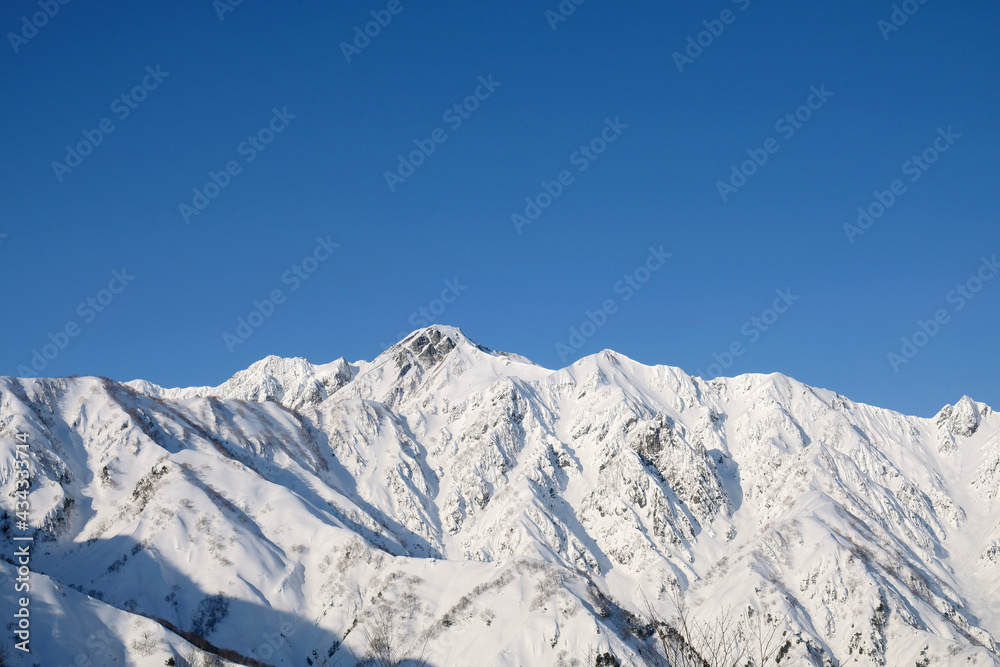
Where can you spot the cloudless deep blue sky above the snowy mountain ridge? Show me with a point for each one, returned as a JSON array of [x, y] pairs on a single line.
[[553, 91]]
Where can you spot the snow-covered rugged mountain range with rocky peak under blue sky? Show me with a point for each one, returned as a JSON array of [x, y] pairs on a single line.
[[494, 512]]
